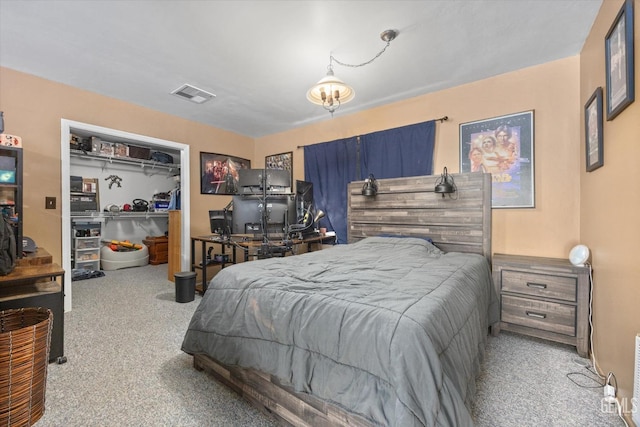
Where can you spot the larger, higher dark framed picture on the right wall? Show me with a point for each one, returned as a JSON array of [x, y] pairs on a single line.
[[618, 45]]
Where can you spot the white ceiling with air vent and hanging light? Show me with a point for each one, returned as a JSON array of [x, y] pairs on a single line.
[[260, 57]]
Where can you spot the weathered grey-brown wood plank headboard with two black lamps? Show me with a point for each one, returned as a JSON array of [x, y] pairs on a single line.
[[460, 222]]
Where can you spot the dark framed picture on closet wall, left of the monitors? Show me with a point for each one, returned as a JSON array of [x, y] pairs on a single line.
[[219, 173]]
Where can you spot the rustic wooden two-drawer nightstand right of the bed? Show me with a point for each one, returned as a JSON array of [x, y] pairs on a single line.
[[544, 297]]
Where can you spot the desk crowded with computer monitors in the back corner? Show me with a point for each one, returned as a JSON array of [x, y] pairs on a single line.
[[264, 219]]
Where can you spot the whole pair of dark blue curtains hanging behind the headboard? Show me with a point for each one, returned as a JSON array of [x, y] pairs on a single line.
[[331, 166]]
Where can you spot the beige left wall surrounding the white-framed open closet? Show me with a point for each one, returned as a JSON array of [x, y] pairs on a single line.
[[33, 108]]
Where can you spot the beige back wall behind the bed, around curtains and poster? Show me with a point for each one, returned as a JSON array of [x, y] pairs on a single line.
[[551, 90]]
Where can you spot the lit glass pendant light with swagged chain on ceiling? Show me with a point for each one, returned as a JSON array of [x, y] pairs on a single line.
[[331, 92]]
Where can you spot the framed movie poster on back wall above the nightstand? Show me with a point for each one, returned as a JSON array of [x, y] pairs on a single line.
[[502, 146]]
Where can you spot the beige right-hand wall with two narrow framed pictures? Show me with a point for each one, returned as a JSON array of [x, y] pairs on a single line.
[[609, 205]]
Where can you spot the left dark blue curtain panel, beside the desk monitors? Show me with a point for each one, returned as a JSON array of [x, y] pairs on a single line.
[[331, 166]]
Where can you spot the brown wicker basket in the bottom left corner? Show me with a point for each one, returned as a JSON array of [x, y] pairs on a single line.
[[25, 337]]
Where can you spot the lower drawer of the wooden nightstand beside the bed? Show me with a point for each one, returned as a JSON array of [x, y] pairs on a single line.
[[547, 316]]
